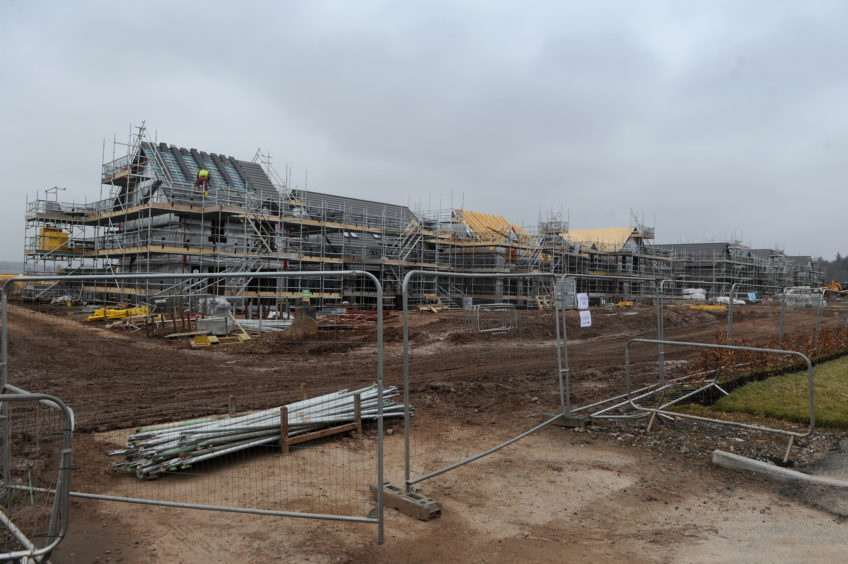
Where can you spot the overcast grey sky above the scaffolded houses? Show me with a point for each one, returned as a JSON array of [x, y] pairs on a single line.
[[715, 120]]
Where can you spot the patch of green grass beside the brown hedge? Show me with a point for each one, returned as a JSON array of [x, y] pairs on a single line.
[[787, 396]]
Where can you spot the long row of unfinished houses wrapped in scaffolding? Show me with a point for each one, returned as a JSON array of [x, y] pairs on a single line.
[[150, 219]]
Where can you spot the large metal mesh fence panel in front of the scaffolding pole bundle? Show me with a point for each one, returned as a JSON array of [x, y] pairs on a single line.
[[174, 387]]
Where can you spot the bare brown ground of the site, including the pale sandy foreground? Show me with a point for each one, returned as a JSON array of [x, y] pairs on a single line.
[[607, 492]]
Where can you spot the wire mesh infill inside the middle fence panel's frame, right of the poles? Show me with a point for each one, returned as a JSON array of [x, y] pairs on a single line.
[[444, 386]]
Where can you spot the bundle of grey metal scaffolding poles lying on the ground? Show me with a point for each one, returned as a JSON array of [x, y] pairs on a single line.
[[171, 447]]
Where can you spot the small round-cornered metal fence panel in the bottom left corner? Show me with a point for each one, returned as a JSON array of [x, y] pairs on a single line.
[[36, 436]]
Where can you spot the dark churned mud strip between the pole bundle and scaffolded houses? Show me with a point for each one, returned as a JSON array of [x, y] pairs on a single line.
[[121, 379]]
